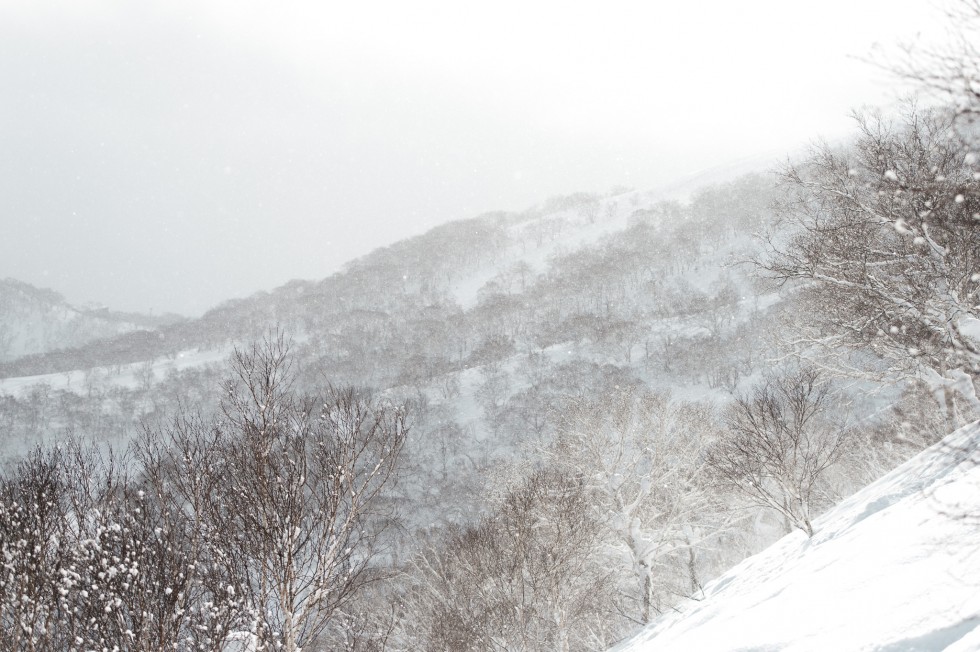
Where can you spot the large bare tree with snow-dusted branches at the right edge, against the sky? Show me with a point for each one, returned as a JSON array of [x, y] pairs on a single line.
[[884, 252]]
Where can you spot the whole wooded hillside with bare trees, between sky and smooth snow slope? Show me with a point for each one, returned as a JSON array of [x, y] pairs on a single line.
[[536, 430]]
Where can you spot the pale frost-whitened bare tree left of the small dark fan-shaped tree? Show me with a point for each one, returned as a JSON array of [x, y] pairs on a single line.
[[639, 455]]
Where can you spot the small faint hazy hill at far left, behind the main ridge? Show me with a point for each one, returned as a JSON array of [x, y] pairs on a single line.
[[37, 320]]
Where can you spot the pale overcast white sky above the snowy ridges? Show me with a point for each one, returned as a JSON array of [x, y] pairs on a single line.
[[169, 155]]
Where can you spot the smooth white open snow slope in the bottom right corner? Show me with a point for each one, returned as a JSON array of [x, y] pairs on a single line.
[[893, 568]]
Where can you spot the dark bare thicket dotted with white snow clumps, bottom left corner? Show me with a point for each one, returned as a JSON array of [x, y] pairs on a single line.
[[92, 561]]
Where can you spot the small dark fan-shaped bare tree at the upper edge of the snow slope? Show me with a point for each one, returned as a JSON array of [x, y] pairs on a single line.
[[780, 444]]
